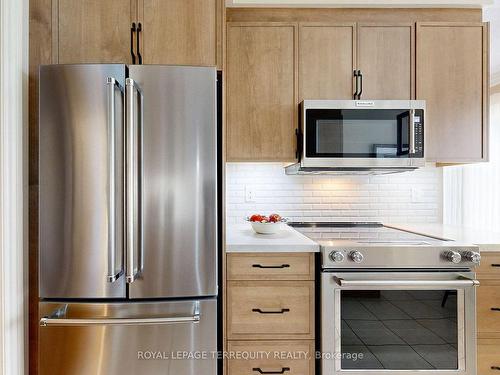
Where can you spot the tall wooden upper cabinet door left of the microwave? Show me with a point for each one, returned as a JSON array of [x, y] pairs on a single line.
[[261, 91]]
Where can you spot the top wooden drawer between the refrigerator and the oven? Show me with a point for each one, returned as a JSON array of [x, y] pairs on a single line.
[[270, 266]]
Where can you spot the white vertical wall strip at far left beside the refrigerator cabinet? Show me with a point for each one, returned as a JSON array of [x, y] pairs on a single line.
[[13, 192]]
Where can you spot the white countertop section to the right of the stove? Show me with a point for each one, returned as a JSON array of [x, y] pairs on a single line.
[[486, 240]]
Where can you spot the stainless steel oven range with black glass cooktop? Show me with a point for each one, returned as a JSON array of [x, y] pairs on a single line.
[[395, 302]]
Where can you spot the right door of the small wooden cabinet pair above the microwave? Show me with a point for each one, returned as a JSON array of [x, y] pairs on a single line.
[[386, 58]]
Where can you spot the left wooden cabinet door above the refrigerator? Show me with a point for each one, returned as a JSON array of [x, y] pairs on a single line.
[[92, 31]]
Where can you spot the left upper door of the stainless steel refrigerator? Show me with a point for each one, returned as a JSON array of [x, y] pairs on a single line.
[[81, 164]]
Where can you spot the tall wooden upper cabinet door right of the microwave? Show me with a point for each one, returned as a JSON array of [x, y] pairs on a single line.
[[452, 76]]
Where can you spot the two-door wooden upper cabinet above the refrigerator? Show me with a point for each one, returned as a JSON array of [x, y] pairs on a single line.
[[177, 32]]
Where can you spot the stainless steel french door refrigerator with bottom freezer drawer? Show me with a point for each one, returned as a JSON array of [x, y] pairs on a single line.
[[128, 220]]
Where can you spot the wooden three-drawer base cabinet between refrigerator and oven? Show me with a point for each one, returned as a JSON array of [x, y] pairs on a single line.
[[270, 314]]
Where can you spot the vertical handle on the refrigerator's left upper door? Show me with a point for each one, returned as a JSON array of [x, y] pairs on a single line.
[[112, 273]]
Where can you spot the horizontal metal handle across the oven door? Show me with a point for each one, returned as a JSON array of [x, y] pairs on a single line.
[[459, 283]]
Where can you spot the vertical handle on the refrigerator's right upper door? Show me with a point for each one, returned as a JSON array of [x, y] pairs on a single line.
[[133, 180]]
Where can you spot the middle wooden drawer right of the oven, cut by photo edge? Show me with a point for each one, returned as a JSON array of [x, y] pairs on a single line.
[[488, 308]]
